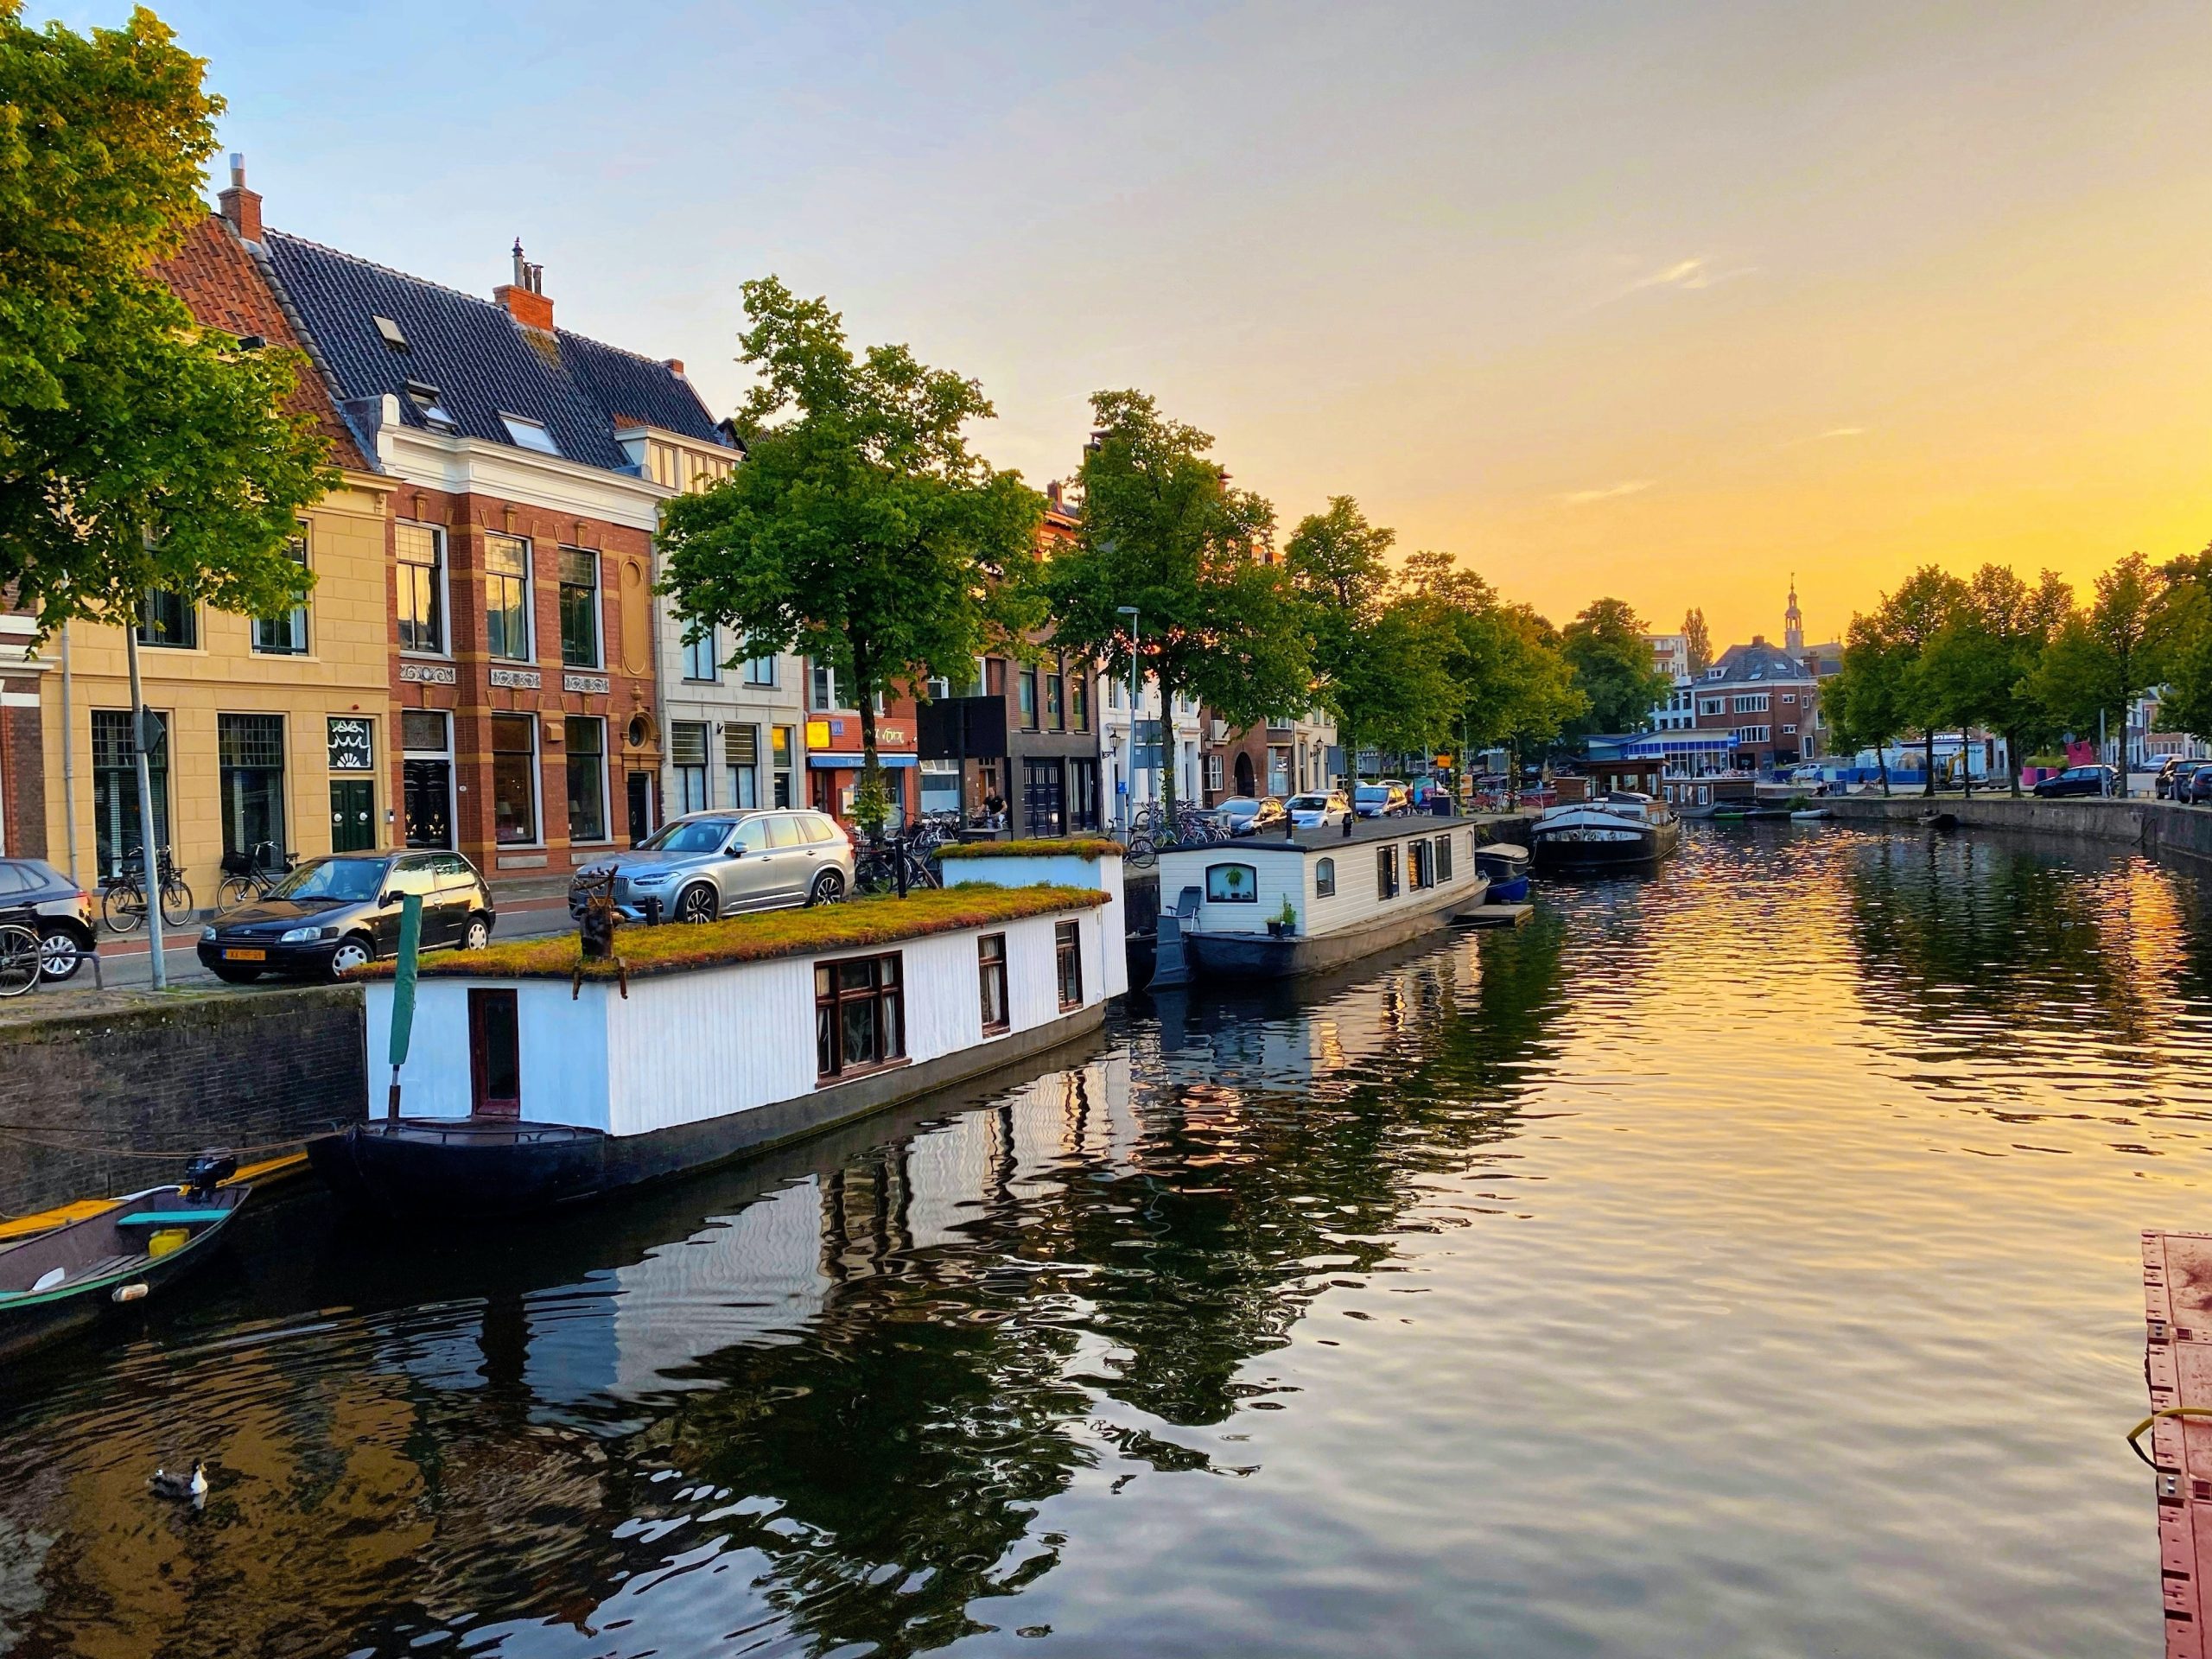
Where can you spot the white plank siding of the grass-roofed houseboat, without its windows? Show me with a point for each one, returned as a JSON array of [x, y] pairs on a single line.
[[702, 1045]]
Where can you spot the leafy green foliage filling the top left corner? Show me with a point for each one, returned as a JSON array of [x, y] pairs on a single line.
[[136, 450]]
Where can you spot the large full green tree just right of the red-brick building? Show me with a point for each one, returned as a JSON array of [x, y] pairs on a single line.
[[862, 530]]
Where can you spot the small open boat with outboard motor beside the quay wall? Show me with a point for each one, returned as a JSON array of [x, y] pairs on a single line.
[[63, 1282]]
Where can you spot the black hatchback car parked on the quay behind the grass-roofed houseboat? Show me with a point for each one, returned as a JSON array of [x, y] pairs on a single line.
[[333, 915]]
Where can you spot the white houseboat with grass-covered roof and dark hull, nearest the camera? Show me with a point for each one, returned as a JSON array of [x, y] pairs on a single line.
[[530, 1085]]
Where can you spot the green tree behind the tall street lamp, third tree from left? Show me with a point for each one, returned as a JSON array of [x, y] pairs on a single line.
[[1165, 532]]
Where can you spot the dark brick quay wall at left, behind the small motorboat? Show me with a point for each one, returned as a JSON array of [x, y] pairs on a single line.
[[169, 1078]]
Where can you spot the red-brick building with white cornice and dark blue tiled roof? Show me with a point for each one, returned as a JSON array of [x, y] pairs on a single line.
[[525, 492]]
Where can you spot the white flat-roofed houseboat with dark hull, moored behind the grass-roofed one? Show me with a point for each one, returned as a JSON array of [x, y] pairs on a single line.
[[1280, 906]]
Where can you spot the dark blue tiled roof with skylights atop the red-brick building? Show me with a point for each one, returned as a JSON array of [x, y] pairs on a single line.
[[479, 359]]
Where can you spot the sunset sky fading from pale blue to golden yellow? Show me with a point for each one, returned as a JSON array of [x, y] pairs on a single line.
[[1658, 302]]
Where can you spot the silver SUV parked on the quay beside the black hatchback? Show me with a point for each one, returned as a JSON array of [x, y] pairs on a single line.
[[722, 864]]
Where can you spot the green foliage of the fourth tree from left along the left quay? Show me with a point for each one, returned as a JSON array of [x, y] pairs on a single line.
[[1379, 656]]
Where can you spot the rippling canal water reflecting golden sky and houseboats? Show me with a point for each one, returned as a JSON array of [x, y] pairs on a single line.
[[1738, 1262]]
